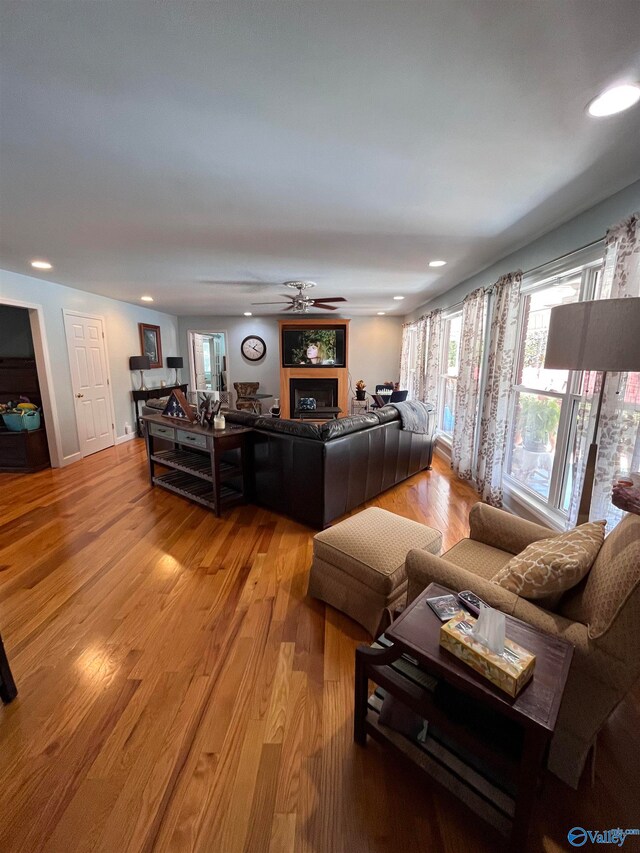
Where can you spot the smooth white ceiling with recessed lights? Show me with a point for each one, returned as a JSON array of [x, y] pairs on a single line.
[[156, 148]]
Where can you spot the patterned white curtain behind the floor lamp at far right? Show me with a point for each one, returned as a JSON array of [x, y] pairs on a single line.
[[619, 427]]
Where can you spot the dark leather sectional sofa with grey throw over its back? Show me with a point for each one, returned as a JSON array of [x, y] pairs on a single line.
[[317, 472]]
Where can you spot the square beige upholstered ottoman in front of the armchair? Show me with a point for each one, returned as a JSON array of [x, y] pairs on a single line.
[[358, 565]]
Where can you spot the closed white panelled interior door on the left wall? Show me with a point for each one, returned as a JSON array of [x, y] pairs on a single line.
[[91, 391]]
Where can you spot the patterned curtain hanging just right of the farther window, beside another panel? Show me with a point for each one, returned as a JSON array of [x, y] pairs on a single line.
[[463, 440]]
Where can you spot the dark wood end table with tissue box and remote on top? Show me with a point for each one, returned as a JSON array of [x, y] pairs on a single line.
[[534, 711]]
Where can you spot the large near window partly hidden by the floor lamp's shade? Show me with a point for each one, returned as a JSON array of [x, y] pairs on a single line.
[[541, 453]]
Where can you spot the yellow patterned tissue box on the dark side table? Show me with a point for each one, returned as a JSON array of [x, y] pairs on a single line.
[[509, 673]]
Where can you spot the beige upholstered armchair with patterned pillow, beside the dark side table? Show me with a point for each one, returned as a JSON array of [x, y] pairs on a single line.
[[600, 617]]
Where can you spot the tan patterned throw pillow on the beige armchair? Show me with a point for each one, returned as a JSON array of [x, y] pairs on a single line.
[[549, 567]]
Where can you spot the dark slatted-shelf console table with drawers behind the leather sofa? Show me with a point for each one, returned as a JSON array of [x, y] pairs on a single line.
[[197, 470]]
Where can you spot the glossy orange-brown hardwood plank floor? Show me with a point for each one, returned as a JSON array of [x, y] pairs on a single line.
[[178, 691]]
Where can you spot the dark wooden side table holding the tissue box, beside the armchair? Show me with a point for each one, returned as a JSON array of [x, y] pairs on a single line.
[[409, 664]]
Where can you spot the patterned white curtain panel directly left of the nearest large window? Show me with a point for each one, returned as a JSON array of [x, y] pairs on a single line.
[[503, 336]]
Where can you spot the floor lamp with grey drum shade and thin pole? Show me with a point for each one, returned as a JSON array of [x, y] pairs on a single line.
[[603, 335]]
